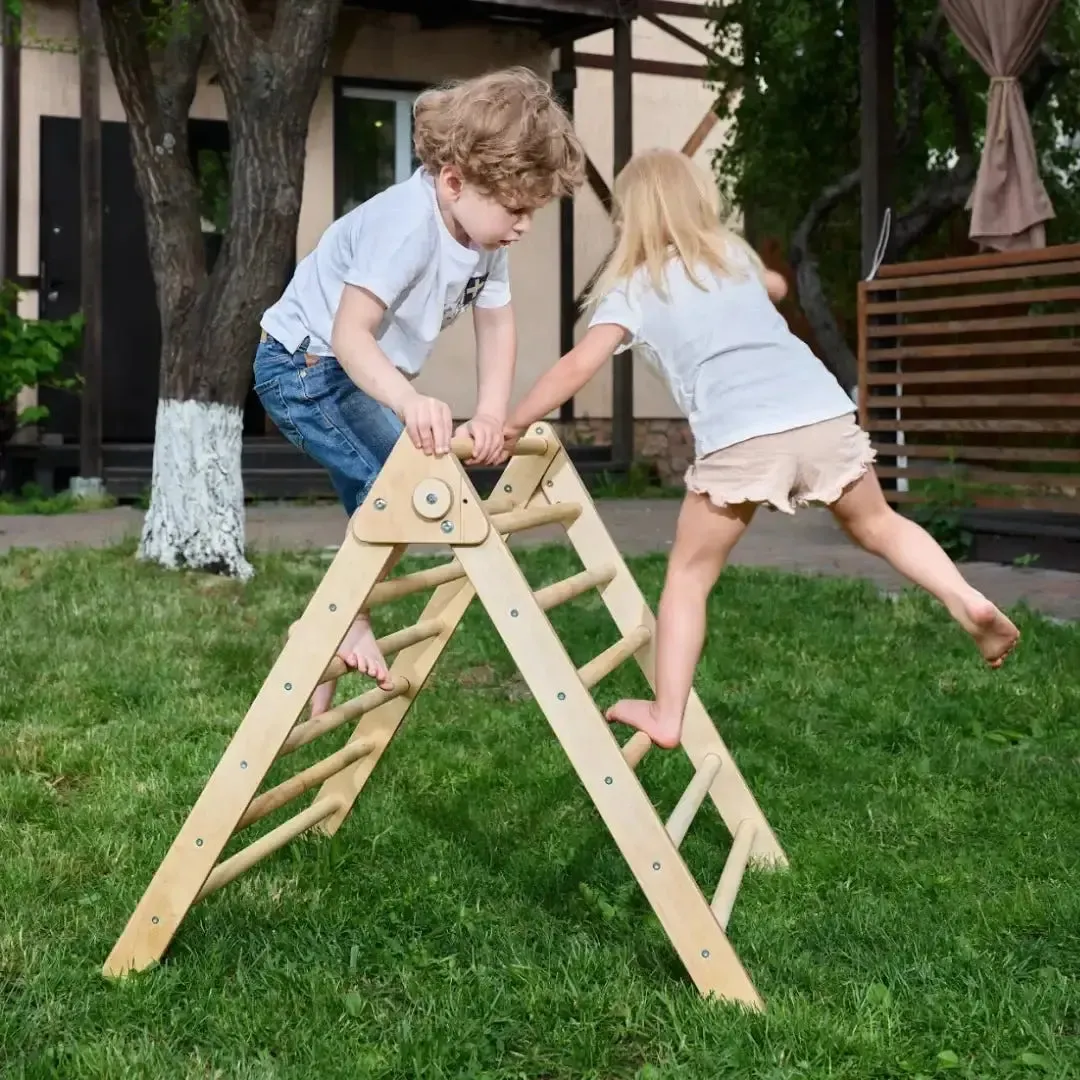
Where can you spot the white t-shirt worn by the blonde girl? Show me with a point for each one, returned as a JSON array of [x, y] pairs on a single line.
[[726, 354]]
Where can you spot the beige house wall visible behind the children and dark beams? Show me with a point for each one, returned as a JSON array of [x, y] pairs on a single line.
[[391, 47]]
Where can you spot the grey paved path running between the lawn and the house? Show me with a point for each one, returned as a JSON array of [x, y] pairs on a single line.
[[808, 544]]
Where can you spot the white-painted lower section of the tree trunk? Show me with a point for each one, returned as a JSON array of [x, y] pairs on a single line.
[[197, 501]]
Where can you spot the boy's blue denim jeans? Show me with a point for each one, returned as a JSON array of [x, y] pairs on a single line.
[[322, 412]]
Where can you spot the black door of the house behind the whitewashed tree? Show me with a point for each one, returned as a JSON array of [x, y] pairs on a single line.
[[131, 329]]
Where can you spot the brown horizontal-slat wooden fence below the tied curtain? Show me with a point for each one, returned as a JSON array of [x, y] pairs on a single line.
[[969, 379]]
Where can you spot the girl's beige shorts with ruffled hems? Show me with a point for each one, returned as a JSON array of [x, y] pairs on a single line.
[[792, 469]]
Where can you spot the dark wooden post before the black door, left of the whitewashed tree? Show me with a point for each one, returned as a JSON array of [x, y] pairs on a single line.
[[90, 128]]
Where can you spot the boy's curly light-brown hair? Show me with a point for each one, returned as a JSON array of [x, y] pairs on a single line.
[[507, 134]]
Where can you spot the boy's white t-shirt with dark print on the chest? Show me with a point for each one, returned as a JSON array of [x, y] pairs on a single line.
[[398, 247]]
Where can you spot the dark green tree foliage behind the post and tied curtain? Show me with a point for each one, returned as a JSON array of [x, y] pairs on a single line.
[[798, 120]]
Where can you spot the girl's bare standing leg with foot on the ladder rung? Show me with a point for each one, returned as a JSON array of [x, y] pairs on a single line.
[[705, 537]]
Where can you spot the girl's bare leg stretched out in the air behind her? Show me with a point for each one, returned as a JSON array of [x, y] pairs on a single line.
[[874, 525]]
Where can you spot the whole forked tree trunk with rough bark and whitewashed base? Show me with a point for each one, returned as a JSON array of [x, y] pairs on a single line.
[[210, 321]]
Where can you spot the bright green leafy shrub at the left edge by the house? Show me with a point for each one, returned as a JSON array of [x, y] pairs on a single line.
[[32, 354]]
